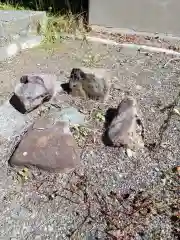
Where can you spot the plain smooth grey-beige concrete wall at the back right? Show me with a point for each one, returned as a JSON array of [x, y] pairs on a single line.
[[161, 16]]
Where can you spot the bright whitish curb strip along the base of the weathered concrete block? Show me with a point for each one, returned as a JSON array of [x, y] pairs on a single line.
[[11, 50]]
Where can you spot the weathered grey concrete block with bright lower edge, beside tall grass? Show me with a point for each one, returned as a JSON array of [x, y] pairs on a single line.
[[19, 30]]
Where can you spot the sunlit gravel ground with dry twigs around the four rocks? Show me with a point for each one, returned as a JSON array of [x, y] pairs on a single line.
[[111, 194]]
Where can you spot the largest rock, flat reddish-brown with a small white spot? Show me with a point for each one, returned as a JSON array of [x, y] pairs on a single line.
[[47, 146]]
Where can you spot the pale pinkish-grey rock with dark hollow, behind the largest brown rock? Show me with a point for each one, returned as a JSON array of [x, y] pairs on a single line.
[[33, 90]]
